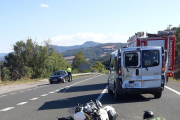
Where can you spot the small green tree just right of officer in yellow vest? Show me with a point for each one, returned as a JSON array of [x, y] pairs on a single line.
[[78, 59]]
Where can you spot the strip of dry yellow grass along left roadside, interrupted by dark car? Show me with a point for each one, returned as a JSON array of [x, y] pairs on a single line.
[[24, 81]]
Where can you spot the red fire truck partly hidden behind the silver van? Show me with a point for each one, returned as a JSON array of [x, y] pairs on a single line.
[[165, 39]]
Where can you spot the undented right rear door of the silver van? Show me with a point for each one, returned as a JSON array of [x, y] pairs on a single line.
[[151, 68]]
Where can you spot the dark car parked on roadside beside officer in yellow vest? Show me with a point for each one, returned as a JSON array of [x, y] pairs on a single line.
[[59, 76]]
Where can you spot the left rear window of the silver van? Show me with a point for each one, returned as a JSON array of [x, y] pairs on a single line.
[[131, 59]]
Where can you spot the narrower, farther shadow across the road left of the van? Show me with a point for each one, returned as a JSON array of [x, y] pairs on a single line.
[[84, 88]]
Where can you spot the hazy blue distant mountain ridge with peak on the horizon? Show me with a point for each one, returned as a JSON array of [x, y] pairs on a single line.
[[65, 48]]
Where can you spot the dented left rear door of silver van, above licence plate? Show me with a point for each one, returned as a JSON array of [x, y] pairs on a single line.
[[131, 69]]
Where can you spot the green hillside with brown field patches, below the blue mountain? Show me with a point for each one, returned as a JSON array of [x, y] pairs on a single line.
[[94, 52]]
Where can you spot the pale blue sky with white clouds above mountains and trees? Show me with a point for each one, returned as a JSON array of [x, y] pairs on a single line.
[[73, 22]]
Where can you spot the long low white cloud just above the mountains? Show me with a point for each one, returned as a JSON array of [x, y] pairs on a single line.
[[80, 38]]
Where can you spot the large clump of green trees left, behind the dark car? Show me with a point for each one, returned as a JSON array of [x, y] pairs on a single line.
[[34, 61]]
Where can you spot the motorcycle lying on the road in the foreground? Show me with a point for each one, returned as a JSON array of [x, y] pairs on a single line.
[[91, 111]]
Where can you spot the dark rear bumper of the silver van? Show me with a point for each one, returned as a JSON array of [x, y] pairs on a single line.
[[140, 90]]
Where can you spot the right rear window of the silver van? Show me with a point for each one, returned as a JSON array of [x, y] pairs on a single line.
[[150, 58]]
